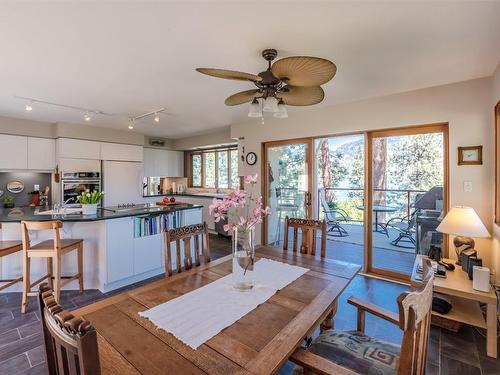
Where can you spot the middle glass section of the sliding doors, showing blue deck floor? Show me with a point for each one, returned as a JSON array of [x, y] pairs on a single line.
[[339, 194]]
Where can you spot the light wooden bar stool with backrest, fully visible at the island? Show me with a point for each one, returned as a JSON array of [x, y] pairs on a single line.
[[53, 250]]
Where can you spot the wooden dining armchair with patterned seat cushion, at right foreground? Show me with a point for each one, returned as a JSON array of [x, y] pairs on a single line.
[[352, 352]]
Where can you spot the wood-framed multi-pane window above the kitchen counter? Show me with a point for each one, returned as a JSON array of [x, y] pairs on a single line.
[[215, 168]]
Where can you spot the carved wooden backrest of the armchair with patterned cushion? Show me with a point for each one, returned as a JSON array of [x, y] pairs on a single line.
[[415, 320]]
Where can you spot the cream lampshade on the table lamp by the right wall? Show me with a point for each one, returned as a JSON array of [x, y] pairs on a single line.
[[463, 221]]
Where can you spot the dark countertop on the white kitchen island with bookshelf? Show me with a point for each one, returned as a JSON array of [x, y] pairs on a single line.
[[33, 214]]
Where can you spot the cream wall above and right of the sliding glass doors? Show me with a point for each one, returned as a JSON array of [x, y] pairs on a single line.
[[466, 106]]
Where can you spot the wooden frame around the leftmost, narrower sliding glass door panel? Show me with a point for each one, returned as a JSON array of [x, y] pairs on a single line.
[[309, 141]]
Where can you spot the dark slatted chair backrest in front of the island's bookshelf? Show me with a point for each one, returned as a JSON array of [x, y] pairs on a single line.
[[196, 232]]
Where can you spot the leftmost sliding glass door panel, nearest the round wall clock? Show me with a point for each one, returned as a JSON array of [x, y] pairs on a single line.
[[287, 185]]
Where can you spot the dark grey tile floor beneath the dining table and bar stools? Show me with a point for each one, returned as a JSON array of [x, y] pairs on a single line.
[[21, 347]]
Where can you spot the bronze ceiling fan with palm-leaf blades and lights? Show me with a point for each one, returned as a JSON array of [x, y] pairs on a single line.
[[292, 80]]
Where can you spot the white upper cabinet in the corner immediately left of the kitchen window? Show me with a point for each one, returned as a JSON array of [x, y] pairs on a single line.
[[163, 163]]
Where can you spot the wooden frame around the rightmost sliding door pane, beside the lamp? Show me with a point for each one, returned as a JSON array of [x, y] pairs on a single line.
[[401, 131]]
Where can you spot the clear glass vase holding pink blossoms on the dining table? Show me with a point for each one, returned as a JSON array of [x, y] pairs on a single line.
[[243, 259]]
